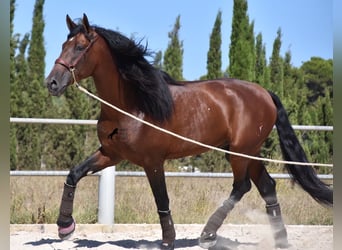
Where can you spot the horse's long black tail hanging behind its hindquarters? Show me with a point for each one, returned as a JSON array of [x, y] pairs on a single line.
[[305, 176]]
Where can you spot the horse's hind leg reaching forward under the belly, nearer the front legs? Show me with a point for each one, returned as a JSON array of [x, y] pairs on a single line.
[[241, 186]]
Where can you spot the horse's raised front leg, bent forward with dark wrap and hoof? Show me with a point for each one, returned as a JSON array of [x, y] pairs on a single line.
[[65, 221]]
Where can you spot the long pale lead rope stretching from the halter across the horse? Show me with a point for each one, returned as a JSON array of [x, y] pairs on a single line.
[[188, 139]]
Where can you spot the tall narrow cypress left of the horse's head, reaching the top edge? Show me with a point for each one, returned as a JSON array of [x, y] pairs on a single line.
[[35, 103]]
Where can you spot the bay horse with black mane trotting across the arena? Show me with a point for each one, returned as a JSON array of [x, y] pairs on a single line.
[[226, 113]]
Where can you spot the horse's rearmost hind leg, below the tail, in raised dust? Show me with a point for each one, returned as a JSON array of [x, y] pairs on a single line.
[[266, 186]]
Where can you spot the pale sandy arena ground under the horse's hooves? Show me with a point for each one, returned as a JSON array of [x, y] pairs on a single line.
[[147, 236]]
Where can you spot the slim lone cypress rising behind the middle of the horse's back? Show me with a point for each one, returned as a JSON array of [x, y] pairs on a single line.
[[214, 62]]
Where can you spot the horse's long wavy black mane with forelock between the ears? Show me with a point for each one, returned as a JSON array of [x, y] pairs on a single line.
[[149, 85]]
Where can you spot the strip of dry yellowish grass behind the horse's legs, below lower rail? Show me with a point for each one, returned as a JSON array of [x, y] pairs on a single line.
[[192, 200]]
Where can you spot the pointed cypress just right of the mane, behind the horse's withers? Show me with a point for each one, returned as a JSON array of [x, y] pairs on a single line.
[[173, 56]]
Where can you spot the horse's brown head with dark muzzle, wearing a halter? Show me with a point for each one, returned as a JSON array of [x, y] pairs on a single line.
[[76, 60]]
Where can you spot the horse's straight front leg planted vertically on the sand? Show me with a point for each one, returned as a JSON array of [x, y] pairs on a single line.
[[156, 179]]
